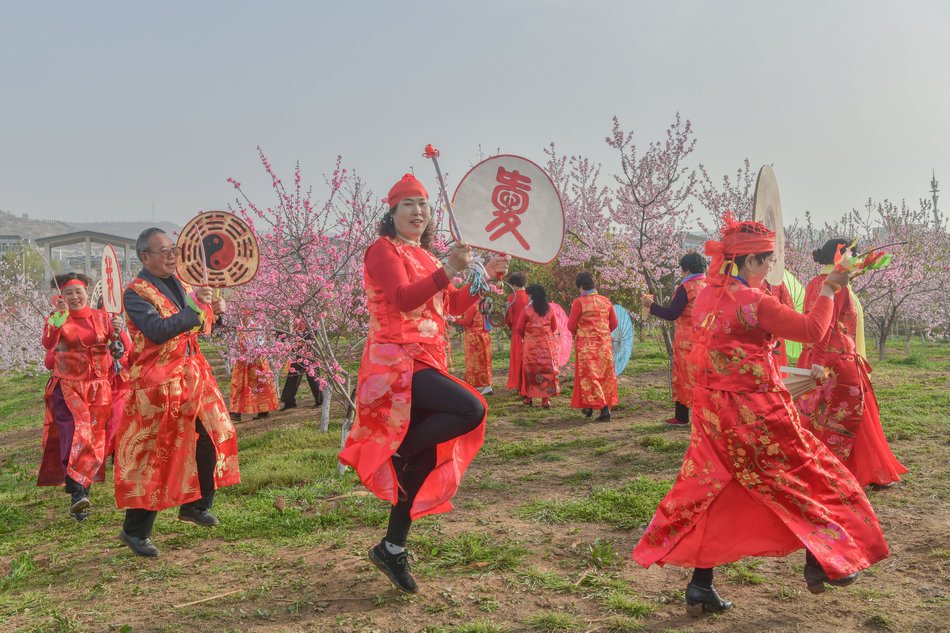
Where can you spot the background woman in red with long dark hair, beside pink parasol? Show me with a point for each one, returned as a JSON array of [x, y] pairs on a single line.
[[538, 329]]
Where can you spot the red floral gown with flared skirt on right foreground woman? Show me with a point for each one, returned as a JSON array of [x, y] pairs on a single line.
[[754, 482]]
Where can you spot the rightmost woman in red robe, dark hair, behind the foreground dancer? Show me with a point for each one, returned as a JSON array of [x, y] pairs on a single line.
[[843, 412]]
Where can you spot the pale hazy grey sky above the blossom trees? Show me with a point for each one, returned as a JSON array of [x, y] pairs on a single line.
[[109, 108]]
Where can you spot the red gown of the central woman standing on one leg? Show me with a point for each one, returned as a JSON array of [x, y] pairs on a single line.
[[401, 342]]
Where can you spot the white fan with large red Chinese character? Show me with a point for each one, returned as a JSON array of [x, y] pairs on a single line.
[[507, 204]]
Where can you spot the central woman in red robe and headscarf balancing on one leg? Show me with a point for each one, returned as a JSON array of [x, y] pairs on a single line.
[[417, 428]]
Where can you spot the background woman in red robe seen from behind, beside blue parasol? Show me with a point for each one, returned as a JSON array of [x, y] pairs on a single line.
[[591, 322]]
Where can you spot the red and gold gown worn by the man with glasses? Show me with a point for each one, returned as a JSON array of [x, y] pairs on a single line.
[[155, 464]]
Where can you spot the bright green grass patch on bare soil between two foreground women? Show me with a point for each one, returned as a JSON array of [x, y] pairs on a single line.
[[627, 507]]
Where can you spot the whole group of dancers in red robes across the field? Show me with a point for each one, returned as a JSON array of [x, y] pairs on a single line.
[[764, 475]]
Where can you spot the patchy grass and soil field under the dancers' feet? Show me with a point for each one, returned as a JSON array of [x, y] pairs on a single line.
[[539, 540]]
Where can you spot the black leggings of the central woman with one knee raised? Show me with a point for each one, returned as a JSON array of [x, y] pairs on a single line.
[[441, 410]]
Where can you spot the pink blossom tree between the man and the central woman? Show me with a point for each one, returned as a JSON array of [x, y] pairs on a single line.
[[307, 299]]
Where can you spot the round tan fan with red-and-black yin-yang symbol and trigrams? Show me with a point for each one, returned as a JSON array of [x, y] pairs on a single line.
[[218, 249]]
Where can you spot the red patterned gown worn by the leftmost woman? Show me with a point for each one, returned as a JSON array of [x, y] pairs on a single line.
[[82, 368]]
